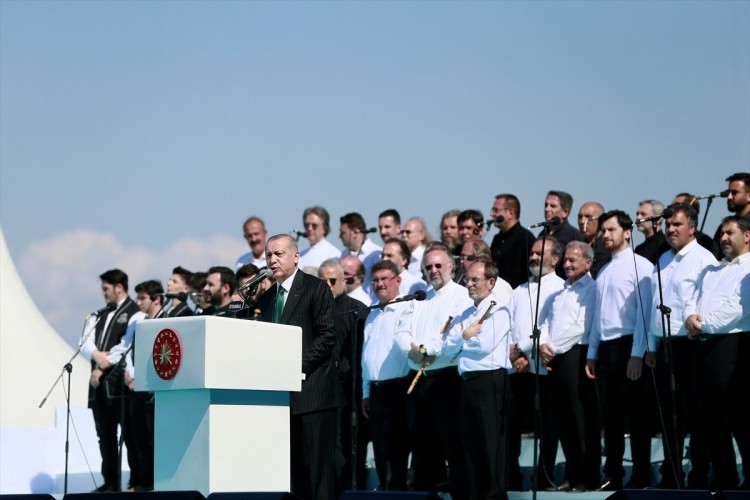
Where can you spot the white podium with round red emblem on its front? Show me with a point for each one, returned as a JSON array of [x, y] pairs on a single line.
[[222, 401]]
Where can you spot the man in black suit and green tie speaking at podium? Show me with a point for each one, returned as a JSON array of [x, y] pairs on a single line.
[[302, 300]]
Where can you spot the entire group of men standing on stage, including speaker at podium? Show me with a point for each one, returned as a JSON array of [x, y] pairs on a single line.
[[439, 351]]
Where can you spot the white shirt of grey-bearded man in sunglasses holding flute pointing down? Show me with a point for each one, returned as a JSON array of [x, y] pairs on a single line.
[[425, 324]]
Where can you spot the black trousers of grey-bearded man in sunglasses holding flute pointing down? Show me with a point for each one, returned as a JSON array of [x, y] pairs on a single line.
[[435, 432]]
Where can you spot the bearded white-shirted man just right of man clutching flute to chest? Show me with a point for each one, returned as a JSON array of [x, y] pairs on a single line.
[[523, 378]]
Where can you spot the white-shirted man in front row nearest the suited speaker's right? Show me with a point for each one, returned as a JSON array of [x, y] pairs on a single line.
[[385, 381]]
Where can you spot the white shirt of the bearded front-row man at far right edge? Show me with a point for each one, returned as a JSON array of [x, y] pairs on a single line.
[[724, 297]]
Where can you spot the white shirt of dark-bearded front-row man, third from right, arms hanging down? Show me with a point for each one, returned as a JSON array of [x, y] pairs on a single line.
[[623, 302]]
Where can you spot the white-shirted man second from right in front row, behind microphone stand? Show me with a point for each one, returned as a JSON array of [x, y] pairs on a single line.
[[670, 352]]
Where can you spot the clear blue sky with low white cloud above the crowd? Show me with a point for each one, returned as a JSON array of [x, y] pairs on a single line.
[[140, 135]]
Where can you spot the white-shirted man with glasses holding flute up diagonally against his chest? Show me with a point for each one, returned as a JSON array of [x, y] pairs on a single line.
[[480, 339]]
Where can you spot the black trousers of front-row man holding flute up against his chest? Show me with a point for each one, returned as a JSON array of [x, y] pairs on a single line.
[[484, 418]]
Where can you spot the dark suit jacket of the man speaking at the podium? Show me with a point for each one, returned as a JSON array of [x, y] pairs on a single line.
[[309, 305]]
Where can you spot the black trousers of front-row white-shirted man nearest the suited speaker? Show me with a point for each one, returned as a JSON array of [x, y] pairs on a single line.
[[389, 422]]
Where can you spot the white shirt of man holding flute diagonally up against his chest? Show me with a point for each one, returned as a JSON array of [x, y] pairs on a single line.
[[489, 349]]
